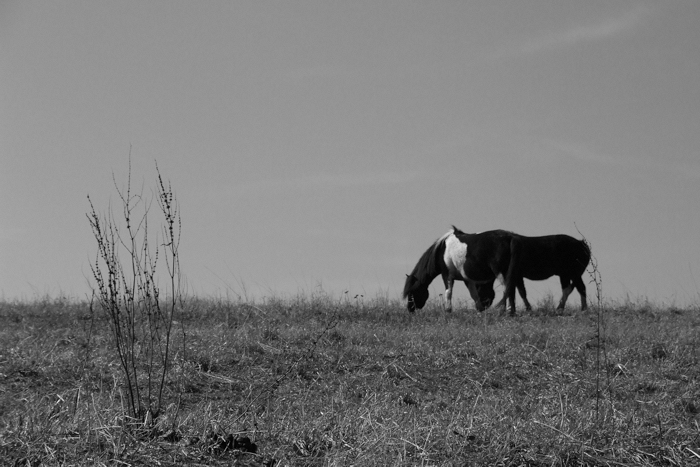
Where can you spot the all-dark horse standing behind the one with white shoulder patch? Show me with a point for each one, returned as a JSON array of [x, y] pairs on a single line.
[[539, 258]]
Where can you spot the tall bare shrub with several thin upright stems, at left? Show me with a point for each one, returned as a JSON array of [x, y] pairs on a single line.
[[128, 289]]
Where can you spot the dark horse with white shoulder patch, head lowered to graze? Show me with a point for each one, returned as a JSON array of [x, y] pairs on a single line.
[[457, 256]]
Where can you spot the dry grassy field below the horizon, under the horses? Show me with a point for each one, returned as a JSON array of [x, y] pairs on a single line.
[[321, 380]]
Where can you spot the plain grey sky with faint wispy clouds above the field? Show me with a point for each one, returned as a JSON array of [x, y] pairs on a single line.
[[324, 145]]
